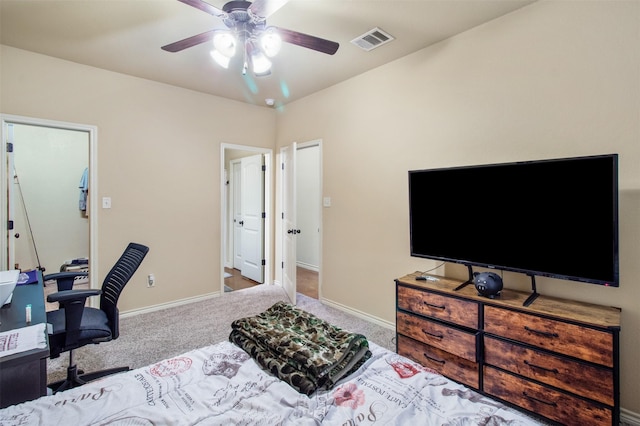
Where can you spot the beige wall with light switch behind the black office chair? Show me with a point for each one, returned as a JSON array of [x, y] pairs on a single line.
[[158, 160]]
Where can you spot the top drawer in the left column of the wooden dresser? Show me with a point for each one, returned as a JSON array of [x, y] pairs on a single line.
[[461, 312]]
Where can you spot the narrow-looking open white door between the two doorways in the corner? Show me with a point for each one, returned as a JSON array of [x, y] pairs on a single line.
[[289, 230]]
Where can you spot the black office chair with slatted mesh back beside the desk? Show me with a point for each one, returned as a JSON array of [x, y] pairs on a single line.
[[75, 325]]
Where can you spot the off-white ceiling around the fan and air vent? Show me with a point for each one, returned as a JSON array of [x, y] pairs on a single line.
[[125, 36]]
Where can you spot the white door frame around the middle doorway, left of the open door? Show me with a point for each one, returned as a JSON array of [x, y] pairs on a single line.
[[268, 207]]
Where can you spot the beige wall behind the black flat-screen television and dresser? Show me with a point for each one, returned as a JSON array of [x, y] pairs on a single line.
[[551, 80]]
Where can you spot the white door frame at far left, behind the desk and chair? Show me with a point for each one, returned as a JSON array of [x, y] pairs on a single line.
[[92, 132]]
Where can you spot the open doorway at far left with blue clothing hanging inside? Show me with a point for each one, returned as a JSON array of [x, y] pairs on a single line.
[[47, 166]]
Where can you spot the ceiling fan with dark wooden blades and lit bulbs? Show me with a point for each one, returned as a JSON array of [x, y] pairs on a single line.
[[247, 28]]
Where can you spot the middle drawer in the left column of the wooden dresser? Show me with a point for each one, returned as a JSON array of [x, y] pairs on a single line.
[[453, 340]]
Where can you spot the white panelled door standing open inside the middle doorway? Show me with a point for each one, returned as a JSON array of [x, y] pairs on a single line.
[[252, 222]]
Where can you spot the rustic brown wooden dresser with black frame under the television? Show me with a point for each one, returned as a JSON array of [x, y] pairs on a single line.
[[555, 358]]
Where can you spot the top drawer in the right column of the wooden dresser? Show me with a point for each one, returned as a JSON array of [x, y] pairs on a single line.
[[568, 339]]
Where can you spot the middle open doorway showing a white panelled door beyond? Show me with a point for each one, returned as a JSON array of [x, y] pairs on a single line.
[[246, 225]]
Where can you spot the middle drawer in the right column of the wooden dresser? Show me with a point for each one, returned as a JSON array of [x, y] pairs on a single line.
[[576, 377]]
